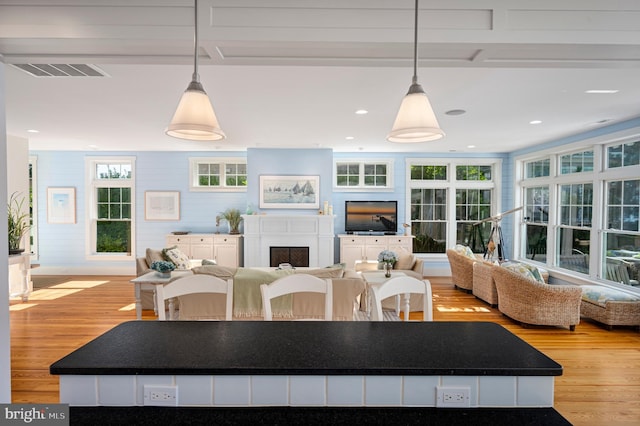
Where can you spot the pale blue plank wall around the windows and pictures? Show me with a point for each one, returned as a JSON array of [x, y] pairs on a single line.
[[63, 246]]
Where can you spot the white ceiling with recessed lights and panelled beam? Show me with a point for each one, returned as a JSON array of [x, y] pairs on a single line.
[[285, 73]]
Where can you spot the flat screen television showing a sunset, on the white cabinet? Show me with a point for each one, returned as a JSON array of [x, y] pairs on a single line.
[[371, 216]]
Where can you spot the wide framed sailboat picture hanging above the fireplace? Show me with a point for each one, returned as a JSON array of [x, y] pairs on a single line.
[[289, 192]]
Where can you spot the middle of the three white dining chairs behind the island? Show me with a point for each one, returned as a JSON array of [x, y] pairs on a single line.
[[297, 283]]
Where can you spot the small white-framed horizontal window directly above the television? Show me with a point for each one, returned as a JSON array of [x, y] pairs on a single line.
[[360, 175]]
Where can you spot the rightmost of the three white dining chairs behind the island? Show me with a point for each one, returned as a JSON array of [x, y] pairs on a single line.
[[402, 286]]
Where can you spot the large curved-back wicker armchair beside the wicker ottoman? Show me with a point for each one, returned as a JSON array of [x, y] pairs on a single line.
[[531, 302]]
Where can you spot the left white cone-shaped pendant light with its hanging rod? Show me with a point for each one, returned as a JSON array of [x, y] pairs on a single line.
[[194, 118]]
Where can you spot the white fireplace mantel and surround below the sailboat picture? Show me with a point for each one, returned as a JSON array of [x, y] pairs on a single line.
[[264, 231]]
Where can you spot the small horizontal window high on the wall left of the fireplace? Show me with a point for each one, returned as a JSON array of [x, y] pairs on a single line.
[[218, 174]]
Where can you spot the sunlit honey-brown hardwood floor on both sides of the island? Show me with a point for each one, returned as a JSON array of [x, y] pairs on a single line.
[[600, 384]]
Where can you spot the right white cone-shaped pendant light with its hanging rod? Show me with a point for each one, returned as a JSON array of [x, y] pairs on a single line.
[[415, 121]]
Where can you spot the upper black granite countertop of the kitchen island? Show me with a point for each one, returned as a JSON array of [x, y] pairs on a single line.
[[307, 348]]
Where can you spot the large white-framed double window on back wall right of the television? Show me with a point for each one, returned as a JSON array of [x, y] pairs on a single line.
[[436, 197]]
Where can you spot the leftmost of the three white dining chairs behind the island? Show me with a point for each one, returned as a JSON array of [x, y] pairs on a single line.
[[194, 284]]
